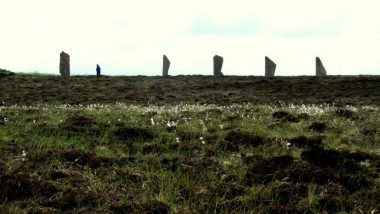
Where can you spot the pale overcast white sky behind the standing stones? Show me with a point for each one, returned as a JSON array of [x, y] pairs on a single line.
[[129, 37]]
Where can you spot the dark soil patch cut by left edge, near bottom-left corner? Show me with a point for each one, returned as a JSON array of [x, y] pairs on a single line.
[[22, 185]]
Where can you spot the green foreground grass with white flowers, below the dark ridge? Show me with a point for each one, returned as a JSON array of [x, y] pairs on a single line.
[[189, 158]]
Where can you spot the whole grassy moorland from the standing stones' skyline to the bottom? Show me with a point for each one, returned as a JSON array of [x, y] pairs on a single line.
[[189, 144]]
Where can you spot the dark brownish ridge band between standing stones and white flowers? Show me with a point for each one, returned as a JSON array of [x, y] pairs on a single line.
[[227, 90]]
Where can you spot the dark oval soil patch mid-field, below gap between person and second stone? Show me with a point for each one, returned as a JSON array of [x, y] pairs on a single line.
[[134, 133]]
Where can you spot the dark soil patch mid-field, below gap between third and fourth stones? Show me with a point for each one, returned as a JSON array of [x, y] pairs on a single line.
[[235, 139]]
